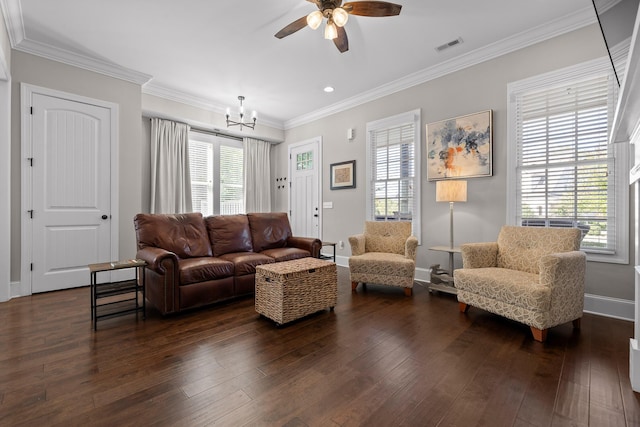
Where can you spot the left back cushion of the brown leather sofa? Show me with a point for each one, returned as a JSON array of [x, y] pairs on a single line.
[[183, 234]]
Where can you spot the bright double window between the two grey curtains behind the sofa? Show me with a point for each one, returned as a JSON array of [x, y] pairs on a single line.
[[217, 175]]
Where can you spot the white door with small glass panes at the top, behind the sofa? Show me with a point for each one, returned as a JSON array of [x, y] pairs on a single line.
[[305, 166]]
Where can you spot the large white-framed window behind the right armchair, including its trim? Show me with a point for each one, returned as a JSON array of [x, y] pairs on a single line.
[[563, 171]]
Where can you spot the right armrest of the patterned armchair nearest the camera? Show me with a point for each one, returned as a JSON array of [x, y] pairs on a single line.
[[564, 274]]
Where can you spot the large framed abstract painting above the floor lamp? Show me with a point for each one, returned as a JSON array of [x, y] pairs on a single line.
[[461, 147]]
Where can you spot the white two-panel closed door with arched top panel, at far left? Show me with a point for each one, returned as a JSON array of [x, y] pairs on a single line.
[[71, 147]]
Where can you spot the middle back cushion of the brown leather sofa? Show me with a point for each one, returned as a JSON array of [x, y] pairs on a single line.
[[229, 234]]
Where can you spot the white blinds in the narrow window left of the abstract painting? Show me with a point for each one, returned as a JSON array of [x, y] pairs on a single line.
[[393, 174]]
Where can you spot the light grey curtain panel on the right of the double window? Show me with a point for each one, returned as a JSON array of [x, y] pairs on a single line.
[[257, 175]]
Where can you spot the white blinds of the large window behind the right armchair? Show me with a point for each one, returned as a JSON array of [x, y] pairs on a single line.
[[565, 165]]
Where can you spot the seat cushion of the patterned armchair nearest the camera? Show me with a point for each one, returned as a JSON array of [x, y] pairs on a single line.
[[513, 287]]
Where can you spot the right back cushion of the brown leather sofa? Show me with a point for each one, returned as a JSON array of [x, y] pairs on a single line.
[[269, 230]]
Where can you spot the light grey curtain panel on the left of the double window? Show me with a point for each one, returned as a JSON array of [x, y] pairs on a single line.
[[170, 175]]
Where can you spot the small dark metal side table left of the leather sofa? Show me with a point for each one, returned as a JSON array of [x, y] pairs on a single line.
[[118, 298]]
